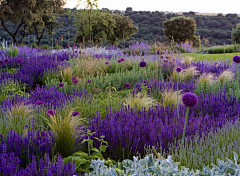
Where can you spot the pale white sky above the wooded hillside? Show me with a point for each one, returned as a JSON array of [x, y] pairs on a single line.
[[201, 6]]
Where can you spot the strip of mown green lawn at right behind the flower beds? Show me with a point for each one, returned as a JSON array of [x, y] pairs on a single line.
[[215, 57]]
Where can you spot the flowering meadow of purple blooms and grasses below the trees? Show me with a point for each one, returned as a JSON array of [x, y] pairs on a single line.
[[111, 111]]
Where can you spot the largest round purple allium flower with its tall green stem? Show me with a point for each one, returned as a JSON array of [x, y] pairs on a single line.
[[190, 100]]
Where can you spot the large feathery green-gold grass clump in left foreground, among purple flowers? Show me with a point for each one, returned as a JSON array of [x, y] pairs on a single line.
[[64, 128]]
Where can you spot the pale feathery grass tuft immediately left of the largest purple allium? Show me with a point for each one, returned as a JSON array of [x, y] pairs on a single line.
[[171, 98]]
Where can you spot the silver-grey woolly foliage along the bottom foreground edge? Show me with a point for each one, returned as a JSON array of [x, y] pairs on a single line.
[[149, 166]]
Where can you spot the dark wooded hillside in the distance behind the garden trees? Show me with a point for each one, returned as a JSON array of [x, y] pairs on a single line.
[[216, 28]]
